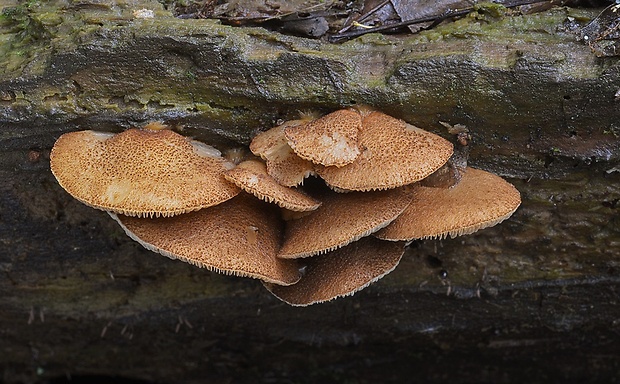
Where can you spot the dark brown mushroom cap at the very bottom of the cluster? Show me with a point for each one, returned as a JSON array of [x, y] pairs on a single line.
[[341, 272]]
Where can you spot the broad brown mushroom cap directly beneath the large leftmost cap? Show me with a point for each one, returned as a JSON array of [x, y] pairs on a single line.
[[239, 237]]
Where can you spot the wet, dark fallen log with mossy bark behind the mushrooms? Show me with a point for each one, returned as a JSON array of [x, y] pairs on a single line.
[[80, 298]]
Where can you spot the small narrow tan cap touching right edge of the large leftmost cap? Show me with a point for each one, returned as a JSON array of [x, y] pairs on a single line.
[[252, 177]]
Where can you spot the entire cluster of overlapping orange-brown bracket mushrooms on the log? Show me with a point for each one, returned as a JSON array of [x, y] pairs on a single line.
[[308, 242]]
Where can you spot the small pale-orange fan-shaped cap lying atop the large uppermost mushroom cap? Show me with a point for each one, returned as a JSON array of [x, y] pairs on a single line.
[[330, 140]]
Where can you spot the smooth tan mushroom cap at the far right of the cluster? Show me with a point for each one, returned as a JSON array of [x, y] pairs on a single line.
[[481, 199]]
